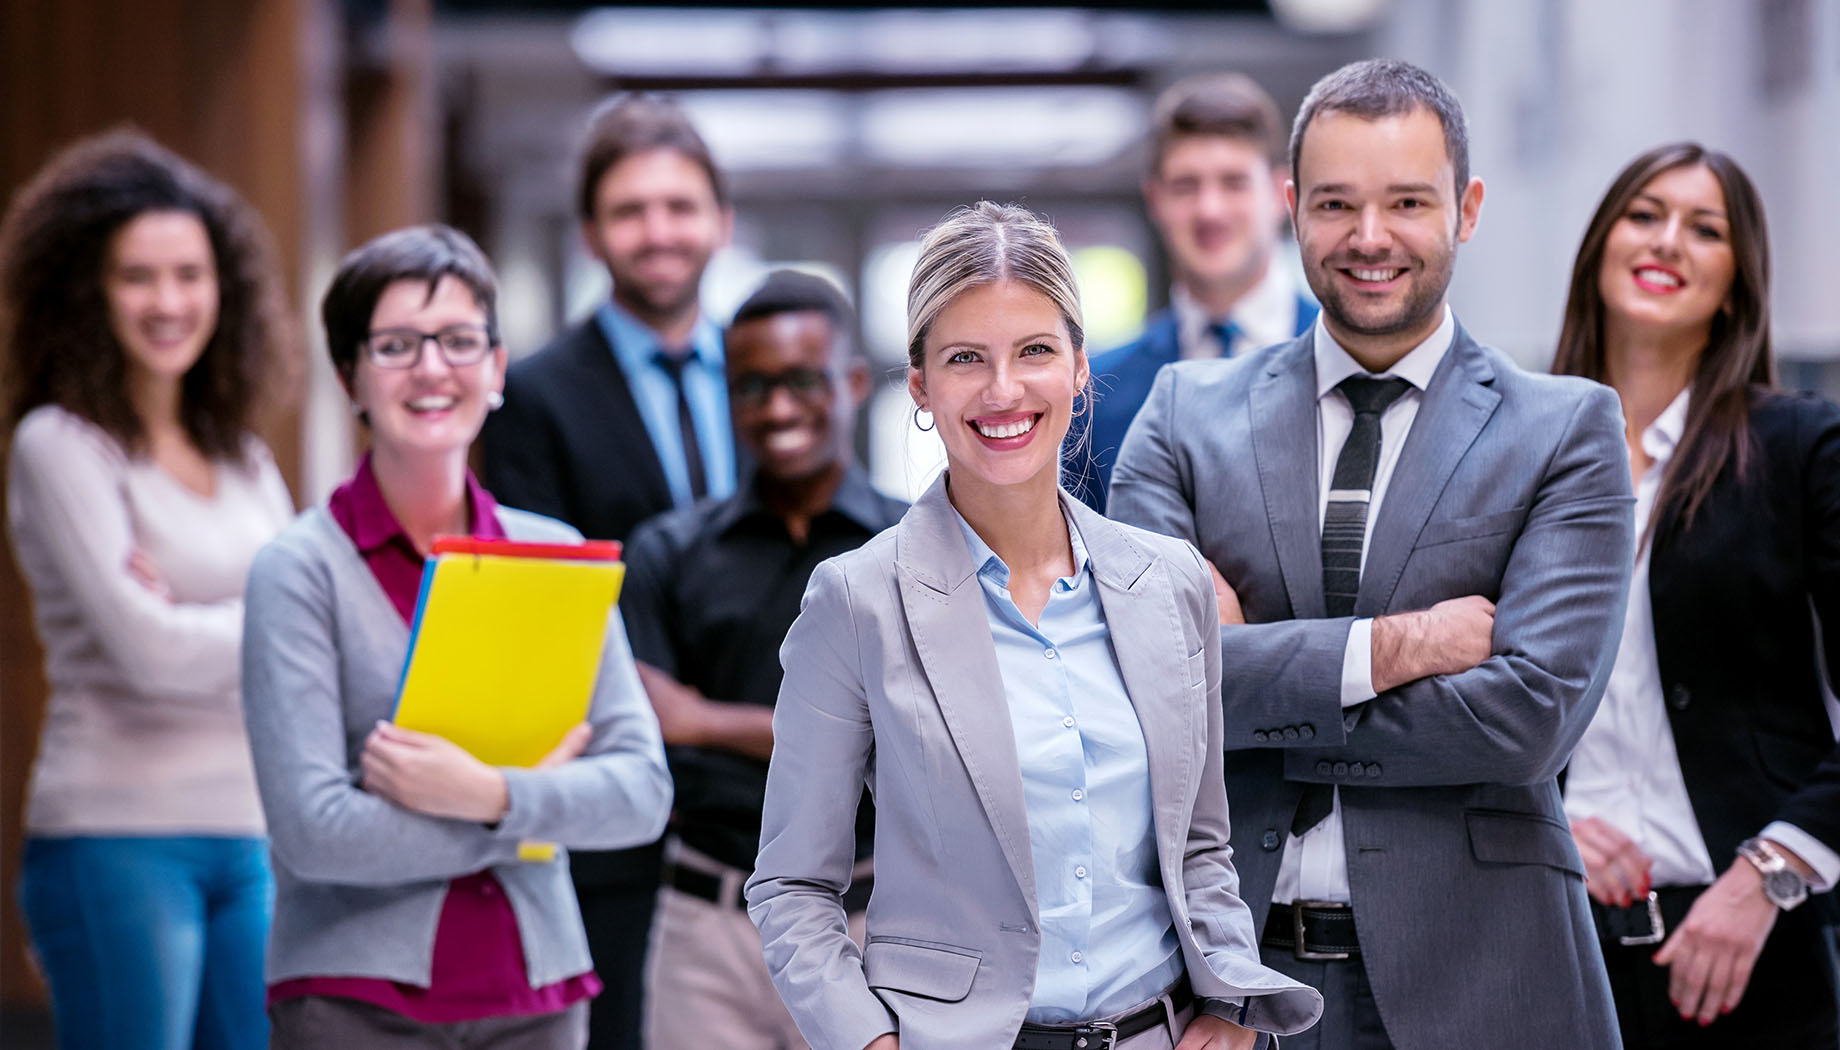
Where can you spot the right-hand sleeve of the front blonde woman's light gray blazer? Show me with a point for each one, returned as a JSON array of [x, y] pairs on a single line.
[[1221, 920]]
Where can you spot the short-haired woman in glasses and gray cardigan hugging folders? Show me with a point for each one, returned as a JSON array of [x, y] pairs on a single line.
[[404, 911]]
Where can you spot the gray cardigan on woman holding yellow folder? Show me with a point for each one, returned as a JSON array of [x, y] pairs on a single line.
[[362, 882]]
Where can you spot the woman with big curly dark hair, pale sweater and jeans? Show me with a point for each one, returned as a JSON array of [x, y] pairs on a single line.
[[141, 323]]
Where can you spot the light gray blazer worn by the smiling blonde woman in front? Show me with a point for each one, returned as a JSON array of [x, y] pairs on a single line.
[[891, 679]]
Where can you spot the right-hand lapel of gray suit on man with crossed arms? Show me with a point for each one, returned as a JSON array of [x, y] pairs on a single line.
[[1456, 407]]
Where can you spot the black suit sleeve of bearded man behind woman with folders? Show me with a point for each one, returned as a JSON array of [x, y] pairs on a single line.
[[520, 450]]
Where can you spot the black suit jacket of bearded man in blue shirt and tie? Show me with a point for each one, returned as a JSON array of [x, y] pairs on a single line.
[[569, 440]]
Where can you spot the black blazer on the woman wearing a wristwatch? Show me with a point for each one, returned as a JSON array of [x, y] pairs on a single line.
[[1736, 641]]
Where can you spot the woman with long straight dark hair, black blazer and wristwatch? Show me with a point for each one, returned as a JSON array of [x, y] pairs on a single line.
[[1707, 793]]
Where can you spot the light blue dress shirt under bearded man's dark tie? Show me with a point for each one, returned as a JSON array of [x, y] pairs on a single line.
[[636, 347]]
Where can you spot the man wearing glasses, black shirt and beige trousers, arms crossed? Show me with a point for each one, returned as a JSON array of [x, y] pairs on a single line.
[[709, 597]]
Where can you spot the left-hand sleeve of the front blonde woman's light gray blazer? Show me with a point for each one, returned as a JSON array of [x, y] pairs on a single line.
[[809, 827]]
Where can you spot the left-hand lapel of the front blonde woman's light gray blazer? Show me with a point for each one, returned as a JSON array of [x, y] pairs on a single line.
[[950, 626]]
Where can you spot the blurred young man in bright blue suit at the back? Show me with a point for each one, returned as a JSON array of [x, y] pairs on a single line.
[[1217, 196]]
